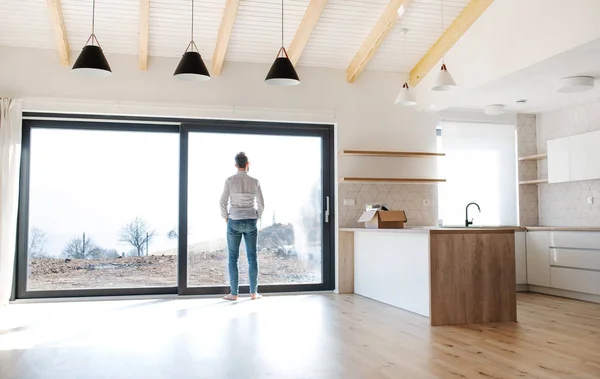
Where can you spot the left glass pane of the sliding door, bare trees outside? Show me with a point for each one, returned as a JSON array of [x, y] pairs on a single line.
[[103, 209]]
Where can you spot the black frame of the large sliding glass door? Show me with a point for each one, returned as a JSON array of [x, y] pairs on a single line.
[[183, 127]]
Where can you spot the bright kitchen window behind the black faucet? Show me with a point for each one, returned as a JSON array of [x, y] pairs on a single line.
[[480, 166]]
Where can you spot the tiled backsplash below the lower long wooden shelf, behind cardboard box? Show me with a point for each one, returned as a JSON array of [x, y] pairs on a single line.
[[407, 197]]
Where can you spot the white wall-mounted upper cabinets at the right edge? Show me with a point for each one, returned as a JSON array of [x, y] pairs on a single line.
[[574, 158]]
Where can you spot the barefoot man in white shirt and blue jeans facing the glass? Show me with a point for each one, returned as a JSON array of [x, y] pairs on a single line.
[[243, 195]]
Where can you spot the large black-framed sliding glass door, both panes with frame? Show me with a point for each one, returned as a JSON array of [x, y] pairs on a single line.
[[111, 208]]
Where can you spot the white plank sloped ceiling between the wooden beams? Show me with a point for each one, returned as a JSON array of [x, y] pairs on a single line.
[[339, 33]]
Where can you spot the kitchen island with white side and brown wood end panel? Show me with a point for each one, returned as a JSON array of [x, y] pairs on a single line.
[[451, 275]]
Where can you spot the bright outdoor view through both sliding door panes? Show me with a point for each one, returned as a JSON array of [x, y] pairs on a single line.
[[103, 209]]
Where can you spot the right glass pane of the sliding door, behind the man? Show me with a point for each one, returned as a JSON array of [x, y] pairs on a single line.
[[290, 232]]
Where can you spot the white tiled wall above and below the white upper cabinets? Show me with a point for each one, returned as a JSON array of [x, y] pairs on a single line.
[[565, 204]]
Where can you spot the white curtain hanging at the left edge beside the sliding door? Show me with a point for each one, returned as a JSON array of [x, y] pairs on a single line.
[[10, 160]]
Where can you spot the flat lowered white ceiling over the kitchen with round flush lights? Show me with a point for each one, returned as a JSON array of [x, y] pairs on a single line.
[[537, 84]]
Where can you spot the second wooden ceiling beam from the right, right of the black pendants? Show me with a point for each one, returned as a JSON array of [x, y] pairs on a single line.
[[381, 29]]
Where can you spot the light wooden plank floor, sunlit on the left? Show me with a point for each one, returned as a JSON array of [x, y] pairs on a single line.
[[304, 336]]
